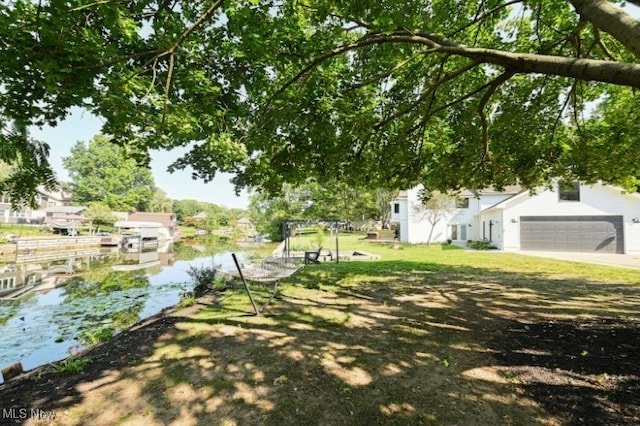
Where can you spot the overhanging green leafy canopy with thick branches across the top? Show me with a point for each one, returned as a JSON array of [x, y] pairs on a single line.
[[450, 93]]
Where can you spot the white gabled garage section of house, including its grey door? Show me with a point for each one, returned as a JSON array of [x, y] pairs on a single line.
[[592, 218]]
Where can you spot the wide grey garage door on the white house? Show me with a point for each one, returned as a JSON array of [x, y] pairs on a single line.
[[572, 233]]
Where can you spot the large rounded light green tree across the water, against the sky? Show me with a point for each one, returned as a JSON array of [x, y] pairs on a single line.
[[100, 172]]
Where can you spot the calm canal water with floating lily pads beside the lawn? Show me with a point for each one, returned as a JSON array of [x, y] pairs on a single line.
[[106, 298]]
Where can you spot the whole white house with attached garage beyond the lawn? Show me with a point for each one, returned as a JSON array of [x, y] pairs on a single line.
[[574, 217]]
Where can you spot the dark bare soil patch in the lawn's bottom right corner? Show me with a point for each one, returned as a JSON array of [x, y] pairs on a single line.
[[587, 369]]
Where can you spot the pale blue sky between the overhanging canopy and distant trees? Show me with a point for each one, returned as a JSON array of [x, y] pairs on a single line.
[[83, 126]]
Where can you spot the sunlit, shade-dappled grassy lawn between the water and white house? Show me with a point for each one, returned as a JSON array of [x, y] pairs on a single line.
[[426, 335]]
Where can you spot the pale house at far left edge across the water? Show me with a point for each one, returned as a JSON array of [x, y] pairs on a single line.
[[44, 200]]
